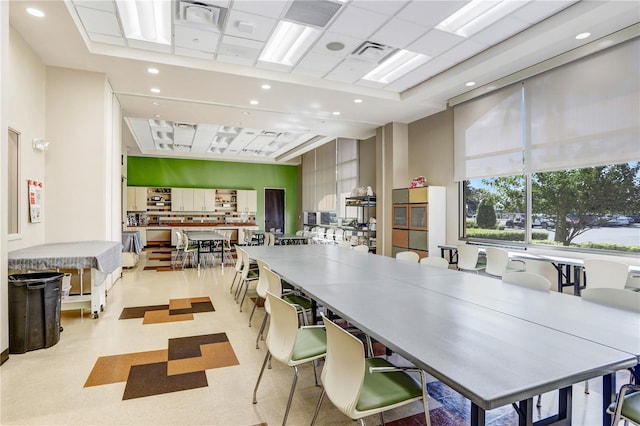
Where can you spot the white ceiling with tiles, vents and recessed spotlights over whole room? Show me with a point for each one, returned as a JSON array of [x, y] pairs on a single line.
[[211, 103]]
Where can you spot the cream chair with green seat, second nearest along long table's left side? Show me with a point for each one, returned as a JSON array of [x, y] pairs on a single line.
[[290, 344]]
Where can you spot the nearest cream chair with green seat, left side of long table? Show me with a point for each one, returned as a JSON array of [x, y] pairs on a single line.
[[360, 386]]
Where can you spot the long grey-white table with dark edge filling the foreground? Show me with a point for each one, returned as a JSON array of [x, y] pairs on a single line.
[[495, 344]]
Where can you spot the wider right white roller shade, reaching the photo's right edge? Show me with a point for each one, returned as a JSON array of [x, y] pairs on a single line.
[[586, 113]]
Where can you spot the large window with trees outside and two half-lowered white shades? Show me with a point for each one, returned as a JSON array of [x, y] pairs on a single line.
[[563, 167]]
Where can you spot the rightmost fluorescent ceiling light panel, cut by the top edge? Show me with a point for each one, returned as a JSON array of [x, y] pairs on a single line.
[[478, 15]]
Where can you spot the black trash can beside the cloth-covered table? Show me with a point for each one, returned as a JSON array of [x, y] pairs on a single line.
[[34, 311]]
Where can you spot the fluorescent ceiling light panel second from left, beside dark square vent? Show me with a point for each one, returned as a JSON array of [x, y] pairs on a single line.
[[288, 43]]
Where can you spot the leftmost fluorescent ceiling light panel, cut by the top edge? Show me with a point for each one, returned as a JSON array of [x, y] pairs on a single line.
[[146, 20]]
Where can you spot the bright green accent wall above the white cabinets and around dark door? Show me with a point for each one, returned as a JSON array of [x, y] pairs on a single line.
[[184, 173]]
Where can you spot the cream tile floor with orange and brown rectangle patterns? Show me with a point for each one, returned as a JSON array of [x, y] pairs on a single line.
[[139, 364]]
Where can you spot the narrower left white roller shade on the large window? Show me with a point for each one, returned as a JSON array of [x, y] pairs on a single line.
[[488, 139]]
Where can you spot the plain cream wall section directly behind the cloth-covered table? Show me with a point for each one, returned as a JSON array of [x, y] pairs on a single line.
[[77, 187]]
